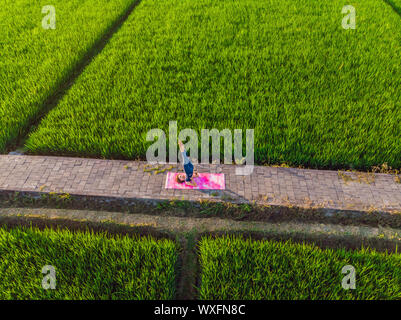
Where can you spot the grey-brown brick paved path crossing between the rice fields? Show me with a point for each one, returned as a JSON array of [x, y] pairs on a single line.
[[128, 179]]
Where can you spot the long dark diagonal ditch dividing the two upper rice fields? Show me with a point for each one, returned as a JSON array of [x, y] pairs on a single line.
[[53, 100]]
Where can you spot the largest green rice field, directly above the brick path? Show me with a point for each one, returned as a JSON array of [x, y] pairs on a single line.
[[316, 94]]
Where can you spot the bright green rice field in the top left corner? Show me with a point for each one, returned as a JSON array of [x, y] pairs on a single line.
[[35, 61]]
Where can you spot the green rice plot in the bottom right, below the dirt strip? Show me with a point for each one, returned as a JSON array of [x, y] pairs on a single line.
[[234, 268]]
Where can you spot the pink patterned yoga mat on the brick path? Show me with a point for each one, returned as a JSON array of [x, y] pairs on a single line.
[[214, 181]]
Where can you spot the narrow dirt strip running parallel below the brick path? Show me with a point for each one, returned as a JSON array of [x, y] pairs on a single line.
[[205, 225]]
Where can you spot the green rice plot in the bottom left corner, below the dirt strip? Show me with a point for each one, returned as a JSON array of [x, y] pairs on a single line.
[[88, 266]]
